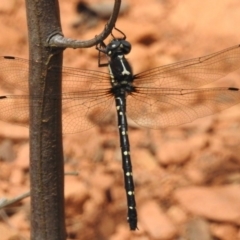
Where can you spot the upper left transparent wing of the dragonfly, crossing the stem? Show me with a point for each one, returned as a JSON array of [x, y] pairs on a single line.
[[14, 76]]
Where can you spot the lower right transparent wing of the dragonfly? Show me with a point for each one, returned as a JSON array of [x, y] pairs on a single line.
[[158, 108]]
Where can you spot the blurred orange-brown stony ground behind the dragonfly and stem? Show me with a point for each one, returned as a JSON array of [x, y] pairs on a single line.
[[187, 177]]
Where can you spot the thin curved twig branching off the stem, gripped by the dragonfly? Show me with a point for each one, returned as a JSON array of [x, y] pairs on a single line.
[[58, 40]]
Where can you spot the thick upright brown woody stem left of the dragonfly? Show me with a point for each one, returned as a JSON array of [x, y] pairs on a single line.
[[46, 150]]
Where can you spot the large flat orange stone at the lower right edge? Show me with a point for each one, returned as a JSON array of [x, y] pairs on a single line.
[[214, 203]]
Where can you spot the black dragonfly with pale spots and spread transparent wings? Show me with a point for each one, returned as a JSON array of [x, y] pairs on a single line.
[[160, 97]]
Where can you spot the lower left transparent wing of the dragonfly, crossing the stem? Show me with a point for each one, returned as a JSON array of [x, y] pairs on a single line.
[[77, 111]]
